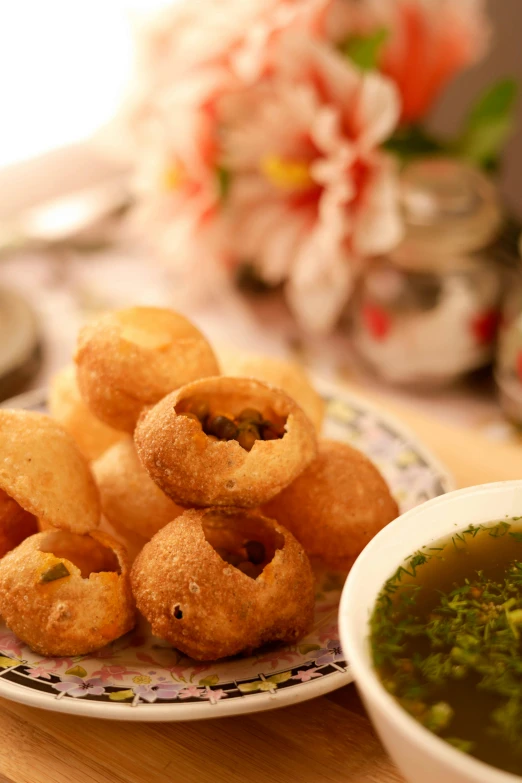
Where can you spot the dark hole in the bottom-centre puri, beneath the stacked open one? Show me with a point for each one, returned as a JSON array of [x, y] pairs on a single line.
[[246, 542]]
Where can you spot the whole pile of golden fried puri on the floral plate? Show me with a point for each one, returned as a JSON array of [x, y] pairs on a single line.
[[192, 470]]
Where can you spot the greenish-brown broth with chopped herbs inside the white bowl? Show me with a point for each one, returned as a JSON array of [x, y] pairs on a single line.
[[446, 638]]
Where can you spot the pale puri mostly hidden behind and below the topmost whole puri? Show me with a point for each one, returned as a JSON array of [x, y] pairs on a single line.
[[66, 405]]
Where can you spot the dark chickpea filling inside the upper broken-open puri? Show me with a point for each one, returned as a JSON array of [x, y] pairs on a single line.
[[247, 427]]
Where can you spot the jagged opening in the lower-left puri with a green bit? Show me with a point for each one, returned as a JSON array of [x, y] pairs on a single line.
[[84, 552]]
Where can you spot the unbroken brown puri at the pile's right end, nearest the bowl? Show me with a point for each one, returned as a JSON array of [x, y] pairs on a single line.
[[336, 505]]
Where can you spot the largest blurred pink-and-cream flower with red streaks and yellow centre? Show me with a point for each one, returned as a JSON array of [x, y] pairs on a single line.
[[311, 192]]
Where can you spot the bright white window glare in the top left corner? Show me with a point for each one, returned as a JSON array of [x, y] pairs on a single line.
[[64, 67]]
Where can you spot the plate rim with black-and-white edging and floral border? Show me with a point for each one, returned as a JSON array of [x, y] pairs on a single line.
[[325, 670]]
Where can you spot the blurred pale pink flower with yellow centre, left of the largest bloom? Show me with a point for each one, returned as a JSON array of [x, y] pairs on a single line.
[[176, 176]]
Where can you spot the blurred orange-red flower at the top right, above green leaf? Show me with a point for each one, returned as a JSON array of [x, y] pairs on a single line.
[[429, 41]]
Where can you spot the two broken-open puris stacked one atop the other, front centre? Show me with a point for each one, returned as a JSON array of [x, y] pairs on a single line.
[[223, 579]]
